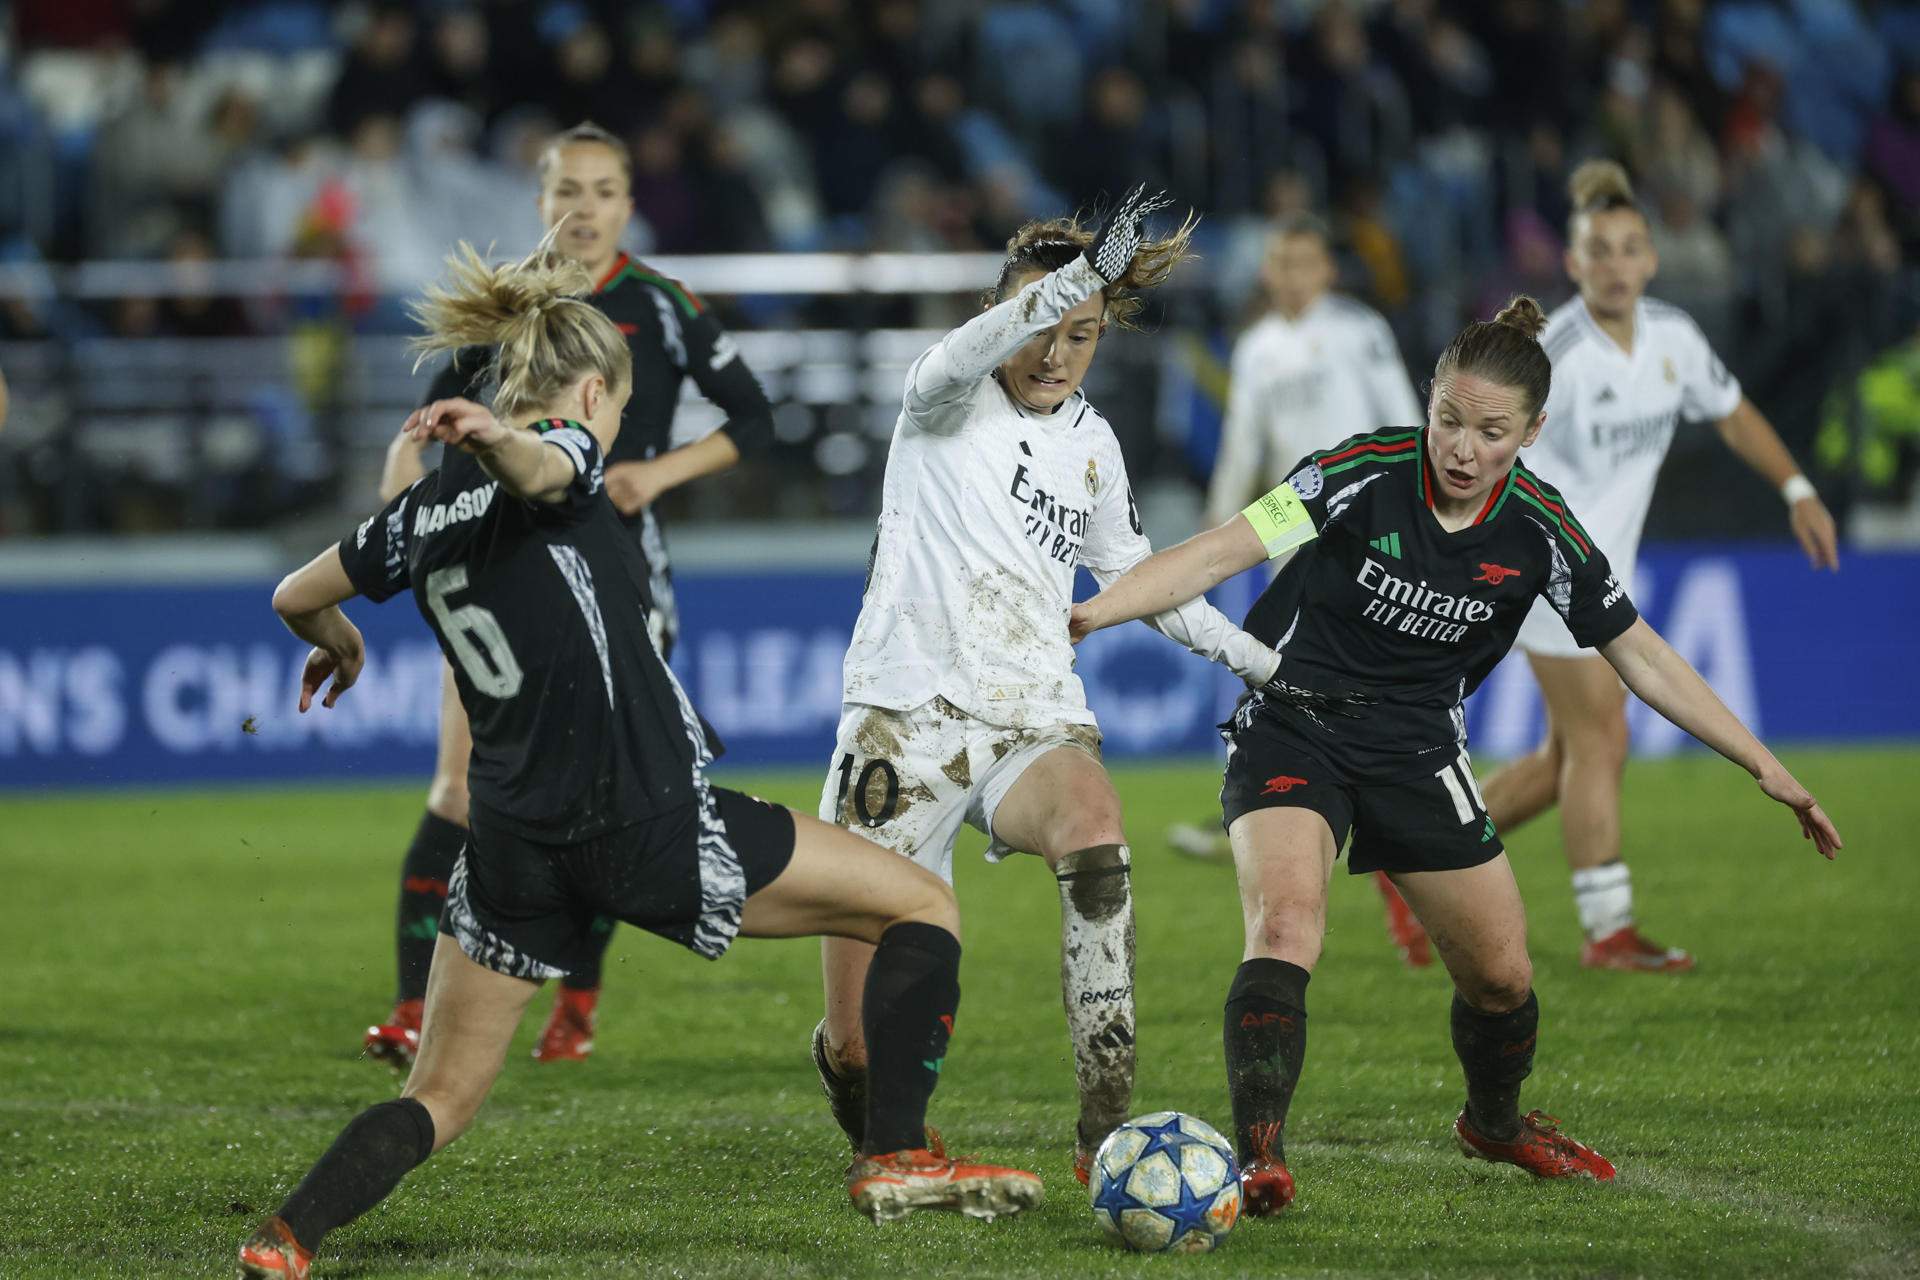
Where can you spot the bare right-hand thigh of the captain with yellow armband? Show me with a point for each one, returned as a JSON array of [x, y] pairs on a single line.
[[1479, 926]]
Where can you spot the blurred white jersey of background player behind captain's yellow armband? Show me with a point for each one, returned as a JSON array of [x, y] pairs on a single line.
[[1303, 385]]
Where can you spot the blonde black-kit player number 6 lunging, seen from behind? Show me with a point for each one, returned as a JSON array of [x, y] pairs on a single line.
[[587, 778]]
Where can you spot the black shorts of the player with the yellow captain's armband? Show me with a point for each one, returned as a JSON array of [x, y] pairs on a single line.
[[1424, 824]]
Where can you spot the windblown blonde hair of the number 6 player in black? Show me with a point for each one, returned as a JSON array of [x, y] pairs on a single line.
[[533, 316]]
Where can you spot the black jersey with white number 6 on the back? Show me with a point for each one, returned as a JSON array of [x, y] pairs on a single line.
[[579, 728]]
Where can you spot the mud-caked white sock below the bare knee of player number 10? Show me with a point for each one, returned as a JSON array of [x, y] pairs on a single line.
[[1097, 982]]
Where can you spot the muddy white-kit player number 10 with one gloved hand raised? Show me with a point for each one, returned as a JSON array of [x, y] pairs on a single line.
[[961, 701]]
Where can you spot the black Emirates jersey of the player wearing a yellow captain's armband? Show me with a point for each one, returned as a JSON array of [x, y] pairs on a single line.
[[1385, 623]]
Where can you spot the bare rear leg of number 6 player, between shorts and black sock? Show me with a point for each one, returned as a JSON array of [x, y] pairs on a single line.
[[471, 1016]]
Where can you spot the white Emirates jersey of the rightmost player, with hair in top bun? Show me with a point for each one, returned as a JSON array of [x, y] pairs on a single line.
[[1612, 415]]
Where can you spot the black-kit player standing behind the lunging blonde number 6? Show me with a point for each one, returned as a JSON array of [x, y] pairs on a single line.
[[585, 183]]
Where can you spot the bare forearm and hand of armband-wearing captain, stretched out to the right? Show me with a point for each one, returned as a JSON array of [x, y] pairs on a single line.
[[1666, 682]]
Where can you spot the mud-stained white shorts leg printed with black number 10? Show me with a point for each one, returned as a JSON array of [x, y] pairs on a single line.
[[901, 780]]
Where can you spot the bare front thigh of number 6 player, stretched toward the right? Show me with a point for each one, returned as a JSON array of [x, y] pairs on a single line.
[[844, 886]]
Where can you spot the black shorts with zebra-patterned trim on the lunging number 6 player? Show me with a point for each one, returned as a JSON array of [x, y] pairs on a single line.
[[527, 911]]
